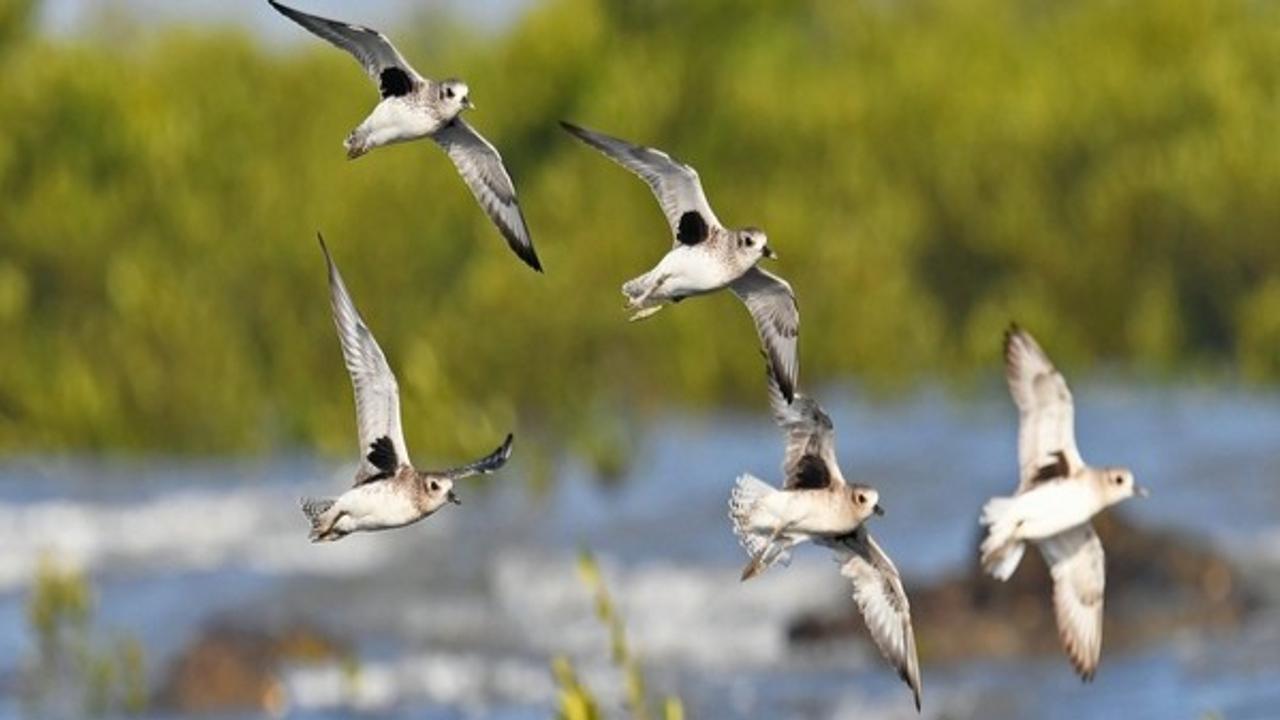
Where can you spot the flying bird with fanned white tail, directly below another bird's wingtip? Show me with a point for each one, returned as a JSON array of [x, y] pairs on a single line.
[[817, 504]]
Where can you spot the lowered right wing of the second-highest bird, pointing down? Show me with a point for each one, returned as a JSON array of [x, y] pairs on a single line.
[[778, 321]]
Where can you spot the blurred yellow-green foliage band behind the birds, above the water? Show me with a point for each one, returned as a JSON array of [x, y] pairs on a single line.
[[1107, 174]]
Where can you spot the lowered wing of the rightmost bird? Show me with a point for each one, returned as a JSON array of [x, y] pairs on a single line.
[[1078, 564]]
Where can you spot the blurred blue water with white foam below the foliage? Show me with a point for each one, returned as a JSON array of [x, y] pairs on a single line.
[[458, 617]]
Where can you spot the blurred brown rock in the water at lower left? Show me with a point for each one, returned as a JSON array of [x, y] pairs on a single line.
[[235, 669]]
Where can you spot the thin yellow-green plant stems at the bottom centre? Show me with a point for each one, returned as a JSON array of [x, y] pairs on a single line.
[[575, 700]]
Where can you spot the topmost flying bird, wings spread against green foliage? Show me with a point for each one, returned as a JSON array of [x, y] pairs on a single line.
[[415, 107]]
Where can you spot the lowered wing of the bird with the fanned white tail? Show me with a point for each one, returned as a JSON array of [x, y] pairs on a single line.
[[883, 601]]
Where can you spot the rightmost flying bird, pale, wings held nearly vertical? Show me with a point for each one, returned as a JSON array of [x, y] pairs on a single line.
[[1058, 495]]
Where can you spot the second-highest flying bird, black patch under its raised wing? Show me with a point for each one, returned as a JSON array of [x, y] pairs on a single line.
[[706, 256]]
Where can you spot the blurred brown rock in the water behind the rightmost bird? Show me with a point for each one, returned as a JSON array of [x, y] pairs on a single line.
[[1159, 582]]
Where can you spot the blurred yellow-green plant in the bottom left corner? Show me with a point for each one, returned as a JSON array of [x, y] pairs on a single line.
[[68, 662]]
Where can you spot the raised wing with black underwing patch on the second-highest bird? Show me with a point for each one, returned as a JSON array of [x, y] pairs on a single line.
[[676, 185]]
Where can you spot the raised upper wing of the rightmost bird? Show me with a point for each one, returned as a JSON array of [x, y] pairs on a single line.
[[1046, 431]]
